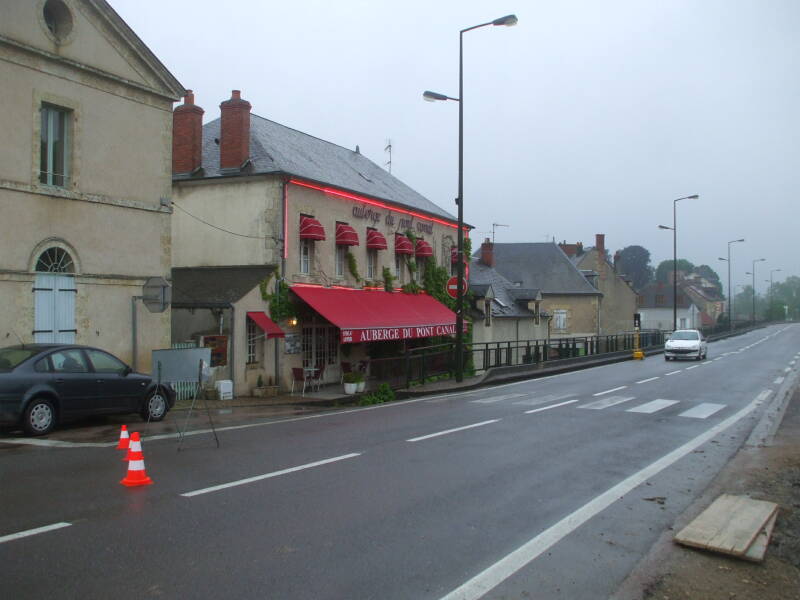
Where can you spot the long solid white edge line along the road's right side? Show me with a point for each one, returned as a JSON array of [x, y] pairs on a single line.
[[490, 578]]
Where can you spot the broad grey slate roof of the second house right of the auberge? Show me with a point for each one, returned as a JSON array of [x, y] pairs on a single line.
[[541, 265]]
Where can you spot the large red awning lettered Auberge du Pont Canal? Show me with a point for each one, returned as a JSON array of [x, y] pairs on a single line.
[[376, 315]]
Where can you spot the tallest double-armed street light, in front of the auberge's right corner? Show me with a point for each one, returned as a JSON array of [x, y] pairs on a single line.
[[508, 21]]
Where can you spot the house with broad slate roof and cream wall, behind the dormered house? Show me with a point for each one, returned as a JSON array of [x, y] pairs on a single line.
[[567, 296]]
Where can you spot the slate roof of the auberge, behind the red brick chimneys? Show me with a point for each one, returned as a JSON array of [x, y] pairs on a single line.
[[277, 149]]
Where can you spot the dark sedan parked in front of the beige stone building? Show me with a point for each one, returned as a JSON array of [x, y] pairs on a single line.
[[42, 384]]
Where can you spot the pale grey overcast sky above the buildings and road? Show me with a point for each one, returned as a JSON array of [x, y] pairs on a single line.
[[587, 117]]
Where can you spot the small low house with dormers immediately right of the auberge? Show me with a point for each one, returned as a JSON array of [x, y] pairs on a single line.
[[501, 311]]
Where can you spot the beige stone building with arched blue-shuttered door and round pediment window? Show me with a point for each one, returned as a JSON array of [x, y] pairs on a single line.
[[84, 177]]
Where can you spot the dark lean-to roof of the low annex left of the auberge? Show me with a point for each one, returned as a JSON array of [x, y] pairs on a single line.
[[214, 287]]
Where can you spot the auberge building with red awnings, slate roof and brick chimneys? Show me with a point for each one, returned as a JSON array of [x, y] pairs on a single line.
[[343, 235]]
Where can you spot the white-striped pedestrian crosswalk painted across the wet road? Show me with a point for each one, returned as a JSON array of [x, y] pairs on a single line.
[[692, 409]]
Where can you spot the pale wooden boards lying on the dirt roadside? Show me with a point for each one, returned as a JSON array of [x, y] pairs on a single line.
[[730, 525]]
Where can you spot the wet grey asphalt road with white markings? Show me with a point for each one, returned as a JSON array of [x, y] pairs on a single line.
[[548, 488]]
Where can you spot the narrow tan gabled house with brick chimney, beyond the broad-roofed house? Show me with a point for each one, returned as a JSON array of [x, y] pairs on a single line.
[[618, 303]]
